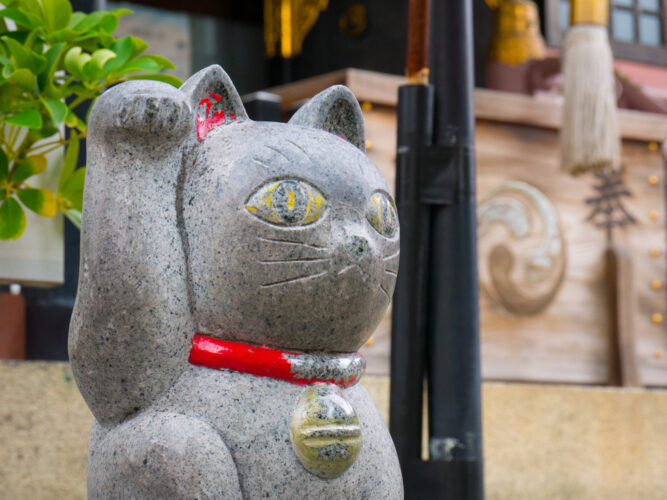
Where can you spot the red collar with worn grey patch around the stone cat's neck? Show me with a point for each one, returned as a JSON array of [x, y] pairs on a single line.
[[343, 370]]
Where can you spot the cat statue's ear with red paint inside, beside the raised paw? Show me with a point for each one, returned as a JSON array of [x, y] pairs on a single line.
[[213, 99]]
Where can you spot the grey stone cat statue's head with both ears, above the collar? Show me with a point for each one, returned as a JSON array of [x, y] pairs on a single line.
[[290, 232]]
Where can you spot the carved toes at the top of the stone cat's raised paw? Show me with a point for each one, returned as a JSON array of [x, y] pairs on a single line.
[[164, 117]]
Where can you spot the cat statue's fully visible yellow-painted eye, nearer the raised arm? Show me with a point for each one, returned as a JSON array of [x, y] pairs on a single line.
[[287, 202]]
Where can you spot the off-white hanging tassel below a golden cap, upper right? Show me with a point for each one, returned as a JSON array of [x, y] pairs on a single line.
[[589, 133]]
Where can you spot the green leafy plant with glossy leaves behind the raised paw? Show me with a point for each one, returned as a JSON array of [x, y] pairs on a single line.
[[51, 61]]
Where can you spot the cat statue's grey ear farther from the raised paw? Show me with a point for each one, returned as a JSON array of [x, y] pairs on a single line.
[[335, 110]]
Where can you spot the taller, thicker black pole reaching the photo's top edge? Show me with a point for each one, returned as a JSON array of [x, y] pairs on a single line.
[[455, 436]]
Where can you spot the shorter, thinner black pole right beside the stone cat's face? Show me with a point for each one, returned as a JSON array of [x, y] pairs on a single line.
[[408, 364]]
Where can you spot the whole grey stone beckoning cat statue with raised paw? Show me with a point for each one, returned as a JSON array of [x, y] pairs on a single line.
[[230, 270]]
